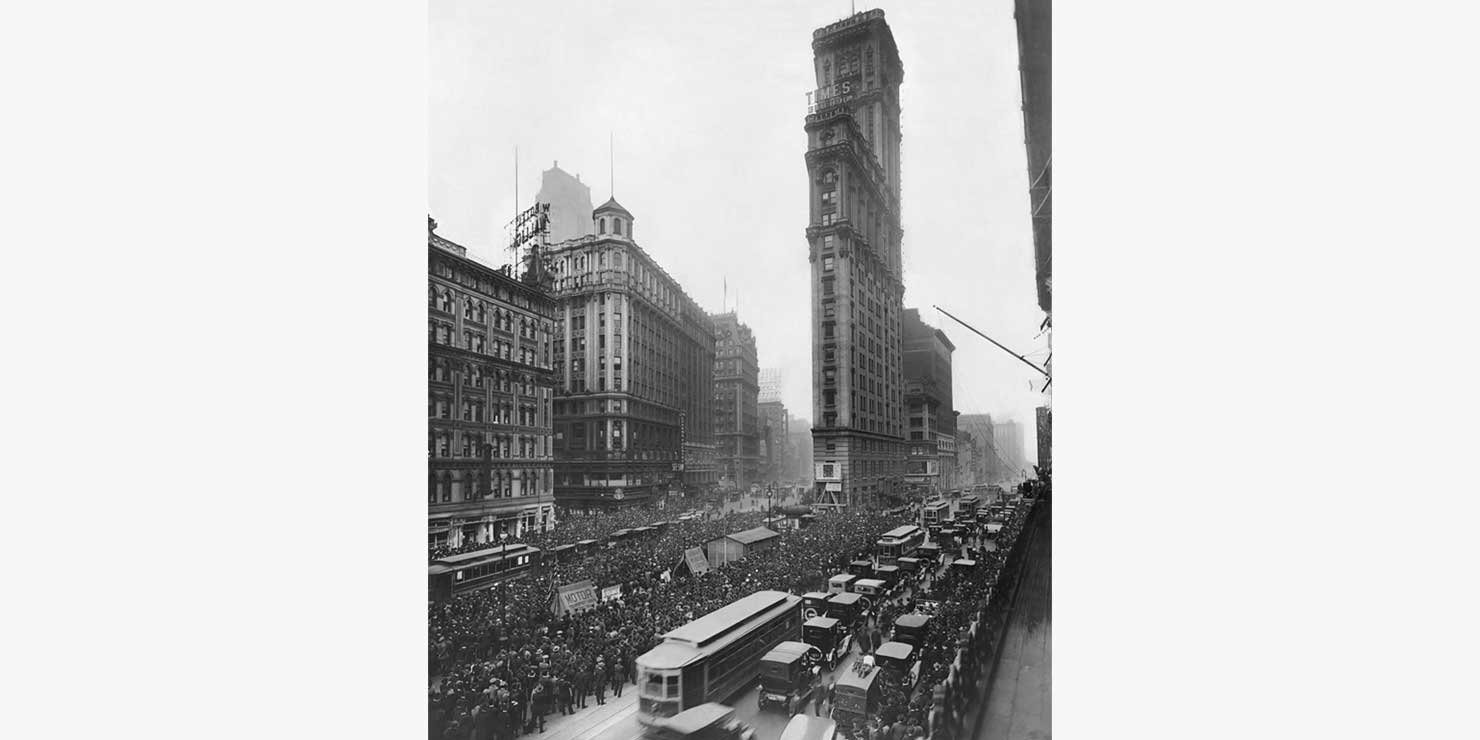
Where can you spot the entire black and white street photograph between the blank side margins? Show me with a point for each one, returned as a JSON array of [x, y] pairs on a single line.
[[739, 351]]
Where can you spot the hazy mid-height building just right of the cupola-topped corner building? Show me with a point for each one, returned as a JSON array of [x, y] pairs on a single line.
[[738, 428]]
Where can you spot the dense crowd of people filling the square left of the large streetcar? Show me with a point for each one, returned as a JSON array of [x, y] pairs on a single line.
[[501, 661]]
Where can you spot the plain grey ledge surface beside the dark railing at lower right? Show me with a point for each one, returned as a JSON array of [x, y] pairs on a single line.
[[1019, 705]]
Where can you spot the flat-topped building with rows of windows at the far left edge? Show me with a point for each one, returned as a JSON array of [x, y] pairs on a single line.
[[491, 387]]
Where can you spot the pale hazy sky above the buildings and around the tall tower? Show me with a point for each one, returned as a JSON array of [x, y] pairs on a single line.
[[707, 104]]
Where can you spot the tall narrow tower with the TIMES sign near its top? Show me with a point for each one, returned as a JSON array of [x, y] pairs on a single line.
[[853, 235]]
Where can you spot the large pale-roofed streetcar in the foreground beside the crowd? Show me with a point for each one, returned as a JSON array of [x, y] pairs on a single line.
[[714, 656]]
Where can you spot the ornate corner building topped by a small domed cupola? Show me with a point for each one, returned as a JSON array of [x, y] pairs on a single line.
[[636, 360]]
